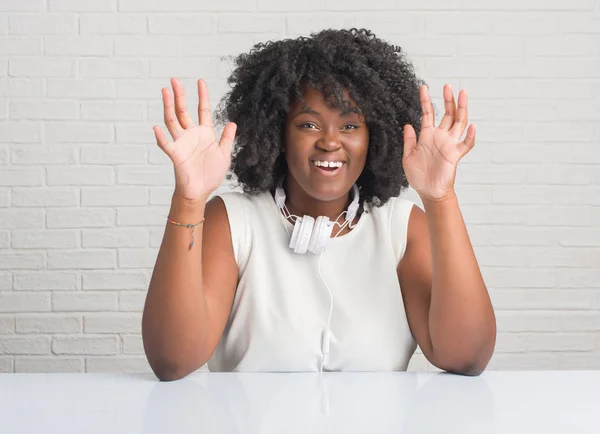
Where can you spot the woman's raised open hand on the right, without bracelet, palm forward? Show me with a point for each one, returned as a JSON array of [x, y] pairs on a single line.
[[430, 165]]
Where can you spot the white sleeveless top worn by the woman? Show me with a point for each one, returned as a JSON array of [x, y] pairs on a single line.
[[281, 305]]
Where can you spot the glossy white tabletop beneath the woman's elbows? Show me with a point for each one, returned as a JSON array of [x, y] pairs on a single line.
[[374, 403]]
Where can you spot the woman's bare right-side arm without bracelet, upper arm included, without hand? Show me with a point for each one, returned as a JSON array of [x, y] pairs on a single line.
[[447, 303]]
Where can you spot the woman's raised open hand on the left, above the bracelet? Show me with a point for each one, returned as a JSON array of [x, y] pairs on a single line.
[[200, 162]]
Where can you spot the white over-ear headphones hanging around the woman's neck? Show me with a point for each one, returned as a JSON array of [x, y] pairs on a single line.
[[310, 234]]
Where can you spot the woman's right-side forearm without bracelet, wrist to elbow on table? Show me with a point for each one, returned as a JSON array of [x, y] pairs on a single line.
[[462, 323]]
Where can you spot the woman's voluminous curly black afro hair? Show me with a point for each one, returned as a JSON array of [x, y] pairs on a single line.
[[266, 81]]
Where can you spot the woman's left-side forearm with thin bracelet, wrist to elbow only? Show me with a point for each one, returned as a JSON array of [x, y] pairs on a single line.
[[174, 319]]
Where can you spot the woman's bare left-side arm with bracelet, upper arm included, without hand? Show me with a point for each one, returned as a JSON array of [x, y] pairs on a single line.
[[191, 291]]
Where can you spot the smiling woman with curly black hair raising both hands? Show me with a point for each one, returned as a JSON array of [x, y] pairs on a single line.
[[326, 130]]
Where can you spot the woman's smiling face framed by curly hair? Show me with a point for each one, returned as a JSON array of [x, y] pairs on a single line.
[[325, 149]]
